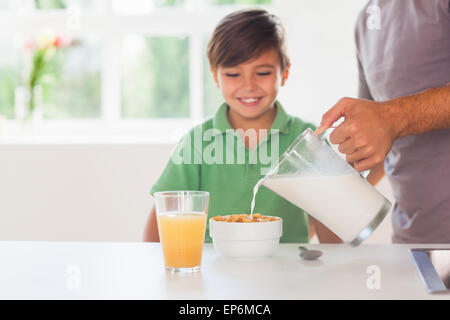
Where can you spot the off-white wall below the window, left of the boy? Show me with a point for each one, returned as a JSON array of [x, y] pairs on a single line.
[[77, 192]]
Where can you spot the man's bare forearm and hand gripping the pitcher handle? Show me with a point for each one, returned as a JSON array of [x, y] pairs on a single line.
[[370, 128]]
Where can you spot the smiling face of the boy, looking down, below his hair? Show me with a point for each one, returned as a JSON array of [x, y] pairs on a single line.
[[250, 88]]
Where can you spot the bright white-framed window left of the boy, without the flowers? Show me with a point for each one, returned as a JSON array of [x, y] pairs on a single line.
[[129, 63]]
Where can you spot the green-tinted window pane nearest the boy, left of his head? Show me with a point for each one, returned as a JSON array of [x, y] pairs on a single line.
[[155, 77]]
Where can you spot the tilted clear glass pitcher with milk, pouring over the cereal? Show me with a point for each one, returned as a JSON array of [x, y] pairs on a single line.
[[312, 176]]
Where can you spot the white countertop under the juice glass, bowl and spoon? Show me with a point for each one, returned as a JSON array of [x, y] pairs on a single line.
[[104, 270]]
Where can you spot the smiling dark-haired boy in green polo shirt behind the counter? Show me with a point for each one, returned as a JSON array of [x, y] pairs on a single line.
[[249, 64]]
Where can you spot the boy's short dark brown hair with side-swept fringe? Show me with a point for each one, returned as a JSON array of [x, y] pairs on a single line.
[[244, 35]]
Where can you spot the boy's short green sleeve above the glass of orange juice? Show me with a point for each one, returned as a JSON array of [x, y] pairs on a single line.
[[181, 171]]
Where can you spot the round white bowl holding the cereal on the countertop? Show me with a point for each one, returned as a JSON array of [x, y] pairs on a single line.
[[239, 240]]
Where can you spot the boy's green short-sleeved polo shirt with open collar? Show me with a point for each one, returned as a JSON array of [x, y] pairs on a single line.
[[212, 157]]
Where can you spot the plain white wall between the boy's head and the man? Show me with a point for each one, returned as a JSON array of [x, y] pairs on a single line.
[[320, 35]]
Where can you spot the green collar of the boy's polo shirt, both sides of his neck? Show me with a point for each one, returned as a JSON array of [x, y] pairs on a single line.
[[281, 121]]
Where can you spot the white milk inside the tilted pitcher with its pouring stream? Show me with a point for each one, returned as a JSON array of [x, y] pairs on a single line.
[[346, 204]]
